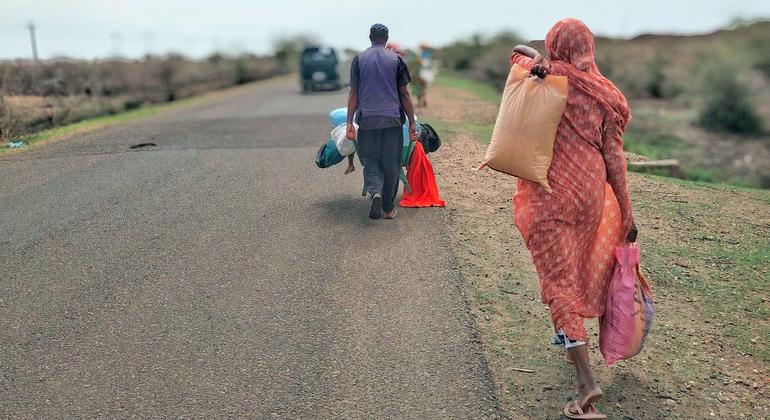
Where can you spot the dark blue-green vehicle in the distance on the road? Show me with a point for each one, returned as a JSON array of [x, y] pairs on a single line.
[[319, 69]]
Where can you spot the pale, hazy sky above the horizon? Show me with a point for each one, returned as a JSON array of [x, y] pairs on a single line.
[[131, 28]]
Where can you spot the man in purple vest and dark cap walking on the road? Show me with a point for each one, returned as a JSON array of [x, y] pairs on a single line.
[[378, 101]]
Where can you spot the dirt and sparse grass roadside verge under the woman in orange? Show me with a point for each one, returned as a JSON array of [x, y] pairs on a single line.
[[704, 247]]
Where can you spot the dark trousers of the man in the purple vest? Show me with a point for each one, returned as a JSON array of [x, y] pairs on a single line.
[[380, 153]]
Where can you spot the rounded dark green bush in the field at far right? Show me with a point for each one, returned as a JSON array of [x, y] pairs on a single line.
[[727, 104]]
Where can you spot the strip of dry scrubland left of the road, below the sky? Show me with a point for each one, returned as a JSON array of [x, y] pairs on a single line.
[[38, 96]]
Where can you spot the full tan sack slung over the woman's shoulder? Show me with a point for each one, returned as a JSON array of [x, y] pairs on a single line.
[[530, 111]]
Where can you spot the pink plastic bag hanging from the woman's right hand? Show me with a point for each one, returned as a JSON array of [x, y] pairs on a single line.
[[628, 316]]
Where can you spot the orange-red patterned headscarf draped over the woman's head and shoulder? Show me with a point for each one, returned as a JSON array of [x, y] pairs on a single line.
[[570, 45]]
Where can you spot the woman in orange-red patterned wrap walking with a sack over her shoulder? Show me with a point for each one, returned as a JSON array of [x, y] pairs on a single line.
[[571, 232]]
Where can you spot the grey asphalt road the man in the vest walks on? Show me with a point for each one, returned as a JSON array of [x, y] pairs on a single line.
[[222, 274]]
